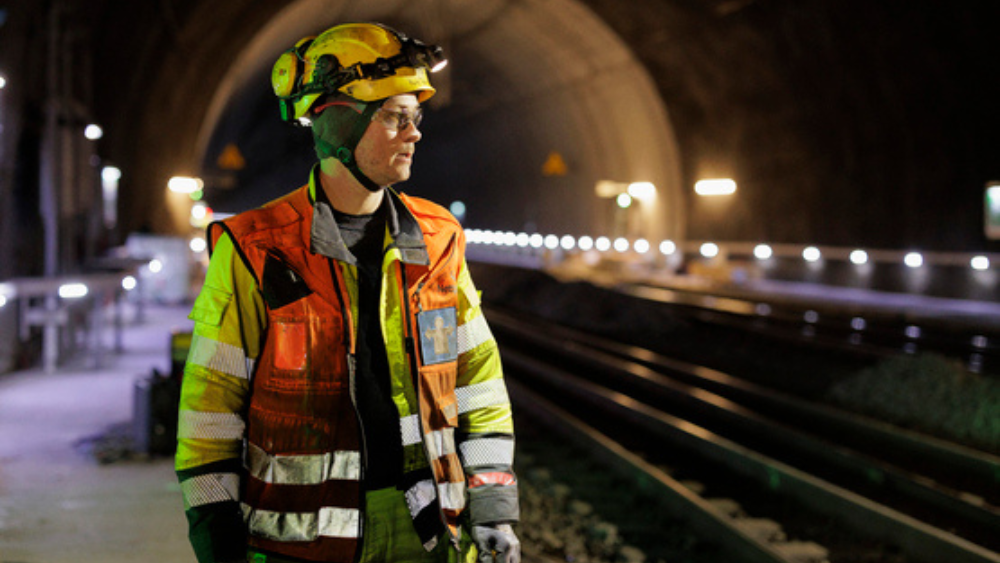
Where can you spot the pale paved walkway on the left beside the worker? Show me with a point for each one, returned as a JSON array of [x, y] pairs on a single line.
[[59, 505]]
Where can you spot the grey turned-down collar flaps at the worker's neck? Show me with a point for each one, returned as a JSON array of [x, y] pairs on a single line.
[[325, 236]]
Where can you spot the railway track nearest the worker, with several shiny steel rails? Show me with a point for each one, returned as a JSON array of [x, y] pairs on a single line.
[[890, 491]]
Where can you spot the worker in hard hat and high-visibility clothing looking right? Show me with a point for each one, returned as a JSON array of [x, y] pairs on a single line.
[[343, 399]]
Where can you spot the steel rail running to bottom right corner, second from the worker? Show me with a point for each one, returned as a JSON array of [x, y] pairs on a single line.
[[920, 541]]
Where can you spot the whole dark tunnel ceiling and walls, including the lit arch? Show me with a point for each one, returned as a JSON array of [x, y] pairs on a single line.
[[842, 123]]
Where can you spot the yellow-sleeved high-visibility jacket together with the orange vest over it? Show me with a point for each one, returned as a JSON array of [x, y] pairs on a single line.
[[270, 453]]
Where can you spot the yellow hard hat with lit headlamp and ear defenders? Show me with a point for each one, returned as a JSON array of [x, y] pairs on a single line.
[[365, 61]]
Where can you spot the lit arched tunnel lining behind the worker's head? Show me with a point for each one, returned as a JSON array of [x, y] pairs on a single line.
[[528, 78]]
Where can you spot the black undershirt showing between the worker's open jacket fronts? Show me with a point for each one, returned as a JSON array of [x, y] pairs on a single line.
[[364, 235]]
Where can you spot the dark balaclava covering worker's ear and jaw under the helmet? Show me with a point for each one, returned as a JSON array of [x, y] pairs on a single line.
[[338, 129]]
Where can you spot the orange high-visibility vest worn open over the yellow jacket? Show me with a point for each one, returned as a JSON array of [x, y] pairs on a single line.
[[302, 428]]
